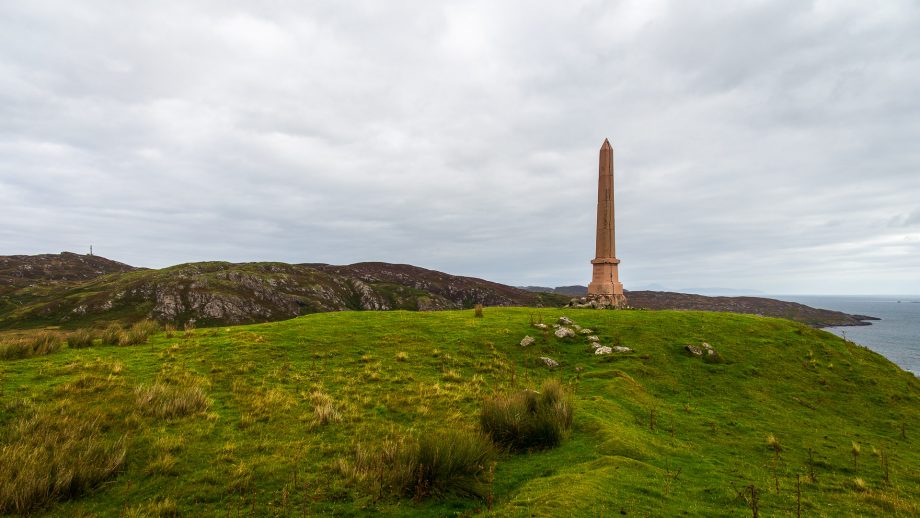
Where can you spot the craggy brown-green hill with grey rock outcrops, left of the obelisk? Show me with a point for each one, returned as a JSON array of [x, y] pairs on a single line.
[[219, 293]]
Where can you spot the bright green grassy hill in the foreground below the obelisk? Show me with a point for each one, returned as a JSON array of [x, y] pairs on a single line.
[[264, 419]]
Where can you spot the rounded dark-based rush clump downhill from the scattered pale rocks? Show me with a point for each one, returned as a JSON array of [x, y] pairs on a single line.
[[528, 420]]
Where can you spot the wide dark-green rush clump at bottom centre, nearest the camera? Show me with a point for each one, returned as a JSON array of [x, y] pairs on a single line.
[[449, 462]]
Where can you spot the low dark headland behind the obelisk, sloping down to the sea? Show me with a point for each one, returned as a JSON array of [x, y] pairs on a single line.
[[751, 305]]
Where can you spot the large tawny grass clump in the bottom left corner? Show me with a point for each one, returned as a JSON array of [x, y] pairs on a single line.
[[54, 457]]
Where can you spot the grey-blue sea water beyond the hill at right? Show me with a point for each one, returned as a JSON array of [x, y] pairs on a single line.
[[896, 336]]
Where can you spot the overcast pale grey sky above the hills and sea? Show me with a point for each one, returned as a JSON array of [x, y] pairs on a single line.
[[773, 146]]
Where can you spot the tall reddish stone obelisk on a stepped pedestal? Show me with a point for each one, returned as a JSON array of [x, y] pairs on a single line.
[[605, 289]]
